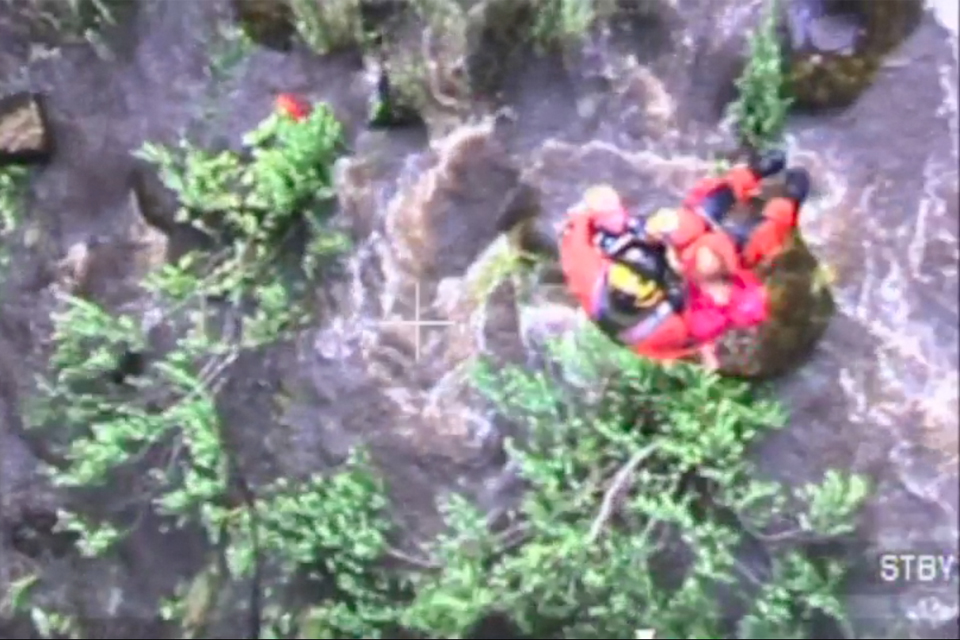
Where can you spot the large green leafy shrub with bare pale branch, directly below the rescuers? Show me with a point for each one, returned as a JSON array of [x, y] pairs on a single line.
[[639, 501]]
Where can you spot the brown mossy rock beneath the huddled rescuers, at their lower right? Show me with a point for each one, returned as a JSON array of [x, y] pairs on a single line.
[[801, 309]]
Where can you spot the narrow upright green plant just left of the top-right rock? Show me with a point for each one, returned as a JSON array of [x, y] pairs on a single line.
[[760, 111]]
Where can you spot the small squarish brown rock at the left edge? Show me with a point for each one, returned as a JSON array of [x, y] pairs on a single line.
[[24, 132]]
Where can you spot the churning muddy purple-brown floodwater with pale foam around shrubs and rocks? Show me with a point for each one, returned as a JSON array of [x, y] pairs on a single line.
[[638, 106]]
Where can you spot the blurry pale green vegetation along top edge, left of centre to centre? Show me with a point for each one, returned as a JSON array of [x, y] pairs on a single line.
[[425, 64]]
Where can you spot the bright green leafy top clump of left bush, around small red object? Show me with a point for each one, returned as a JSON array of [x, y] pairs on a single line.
[[280, 187]]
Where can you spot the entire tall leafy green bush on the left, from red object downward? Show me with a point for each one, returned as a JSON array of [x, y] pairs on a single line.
[[158, 433]]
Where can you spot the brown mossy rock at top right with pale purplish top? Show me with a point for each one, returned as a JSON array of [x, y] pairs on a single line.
[[834, 48]]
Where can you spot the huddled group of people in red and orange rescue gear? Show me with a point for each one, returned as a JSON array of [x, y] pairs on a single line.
[[670, 284]]
